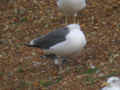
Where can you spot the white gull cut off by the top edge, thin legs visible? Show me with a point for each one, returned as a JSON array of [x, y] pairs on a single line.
[[71, 7]]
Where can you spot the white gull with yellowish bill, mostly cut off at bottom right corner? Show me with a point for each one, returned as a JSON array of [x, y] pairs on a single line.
[[113, 83]]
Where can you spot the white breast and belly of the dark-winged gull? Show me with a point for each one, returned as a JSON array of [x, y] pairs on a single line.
[[74, 43]]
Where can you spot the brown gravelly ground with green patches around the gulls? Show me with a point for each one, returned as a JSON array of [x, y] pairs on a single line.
[[21, 67]]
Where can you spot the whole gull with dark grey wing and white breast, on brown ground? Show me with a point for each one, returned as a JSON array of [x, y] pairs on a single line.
[[65, 42]]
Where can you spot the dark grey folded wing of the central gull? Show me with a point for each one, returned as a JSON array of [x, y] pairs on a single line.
[[52, 38]]
